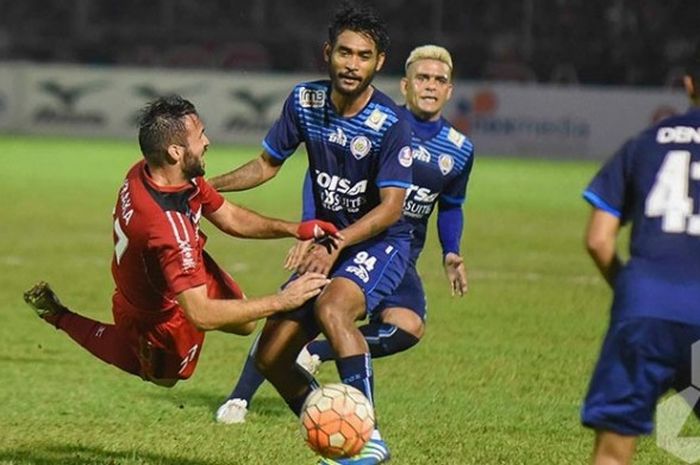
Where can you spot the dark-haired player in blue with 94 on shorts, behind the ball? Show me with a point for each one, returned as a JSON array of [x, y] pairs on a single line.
[[360, 163]]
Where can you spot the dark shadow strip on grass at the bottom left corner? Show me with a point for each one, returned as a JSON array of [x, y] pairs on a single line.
[[82, 455]]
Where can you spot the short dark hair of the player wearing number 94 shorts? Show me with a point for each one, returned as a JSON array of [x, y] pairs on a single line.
[[361, 19]]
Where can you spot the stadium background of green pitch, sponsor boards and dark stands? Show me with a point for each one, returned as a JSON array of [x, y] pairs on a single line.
[[498, 378]]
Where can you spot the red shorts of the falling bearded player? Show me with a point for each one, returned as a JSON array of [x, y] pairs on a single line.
[[166, 343]]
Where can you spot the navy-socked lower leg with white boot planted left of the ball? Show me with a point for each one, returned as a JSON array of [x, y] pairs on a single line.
[[235, 408]]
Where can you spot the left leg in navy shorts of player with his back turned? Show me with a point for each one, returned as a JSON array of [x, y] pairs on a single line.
[[637, 365]]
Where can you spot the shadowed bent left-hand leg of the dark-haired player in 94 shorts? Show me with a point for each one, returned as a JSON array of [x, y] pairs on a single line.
[[280, 341]]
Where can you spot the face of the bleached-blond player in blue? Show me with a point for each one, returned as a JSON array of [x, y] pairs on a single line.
[[427, 88]]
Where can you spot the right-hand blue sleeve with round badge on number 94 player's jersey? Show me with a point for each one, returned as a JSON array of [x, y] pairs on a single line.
[[395, 157]]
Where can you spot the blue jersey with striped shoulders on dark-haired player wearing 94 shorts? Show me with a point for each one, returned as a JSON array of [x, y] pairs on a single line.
[[350, 159]]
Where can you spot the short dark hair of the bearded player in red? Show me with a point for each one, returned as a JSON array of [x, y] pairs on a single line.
[[161, 123]]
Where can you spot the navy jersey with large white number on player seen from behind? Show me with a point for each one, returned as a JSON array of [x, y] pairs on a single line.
[[653, 181]]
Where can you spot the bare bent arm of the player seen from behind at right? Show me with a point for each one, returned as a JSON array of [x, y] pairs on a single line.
[[601, 240]]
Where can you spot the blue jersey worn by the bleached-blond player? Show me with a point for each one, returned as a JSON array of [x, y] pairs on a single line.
[[442, 162]]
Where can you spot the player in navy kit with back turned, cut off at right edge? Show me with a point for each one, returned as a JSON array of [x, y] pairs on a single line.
[[652, 182]]
